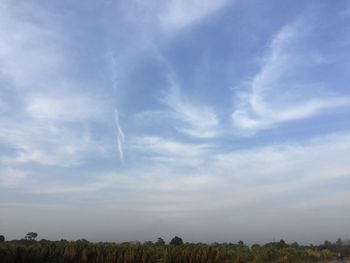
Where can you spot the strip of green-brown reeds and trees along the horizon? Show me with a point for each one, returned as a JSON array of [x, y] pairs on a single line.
[[28, 250]]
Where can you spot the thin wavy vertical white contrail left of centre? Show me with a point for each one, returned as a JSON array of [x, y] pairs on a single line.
[[120, 133]]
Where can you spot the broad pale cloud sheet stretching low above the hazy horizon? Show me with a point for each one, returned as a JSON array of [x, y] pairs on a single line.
[[231, 188]]
